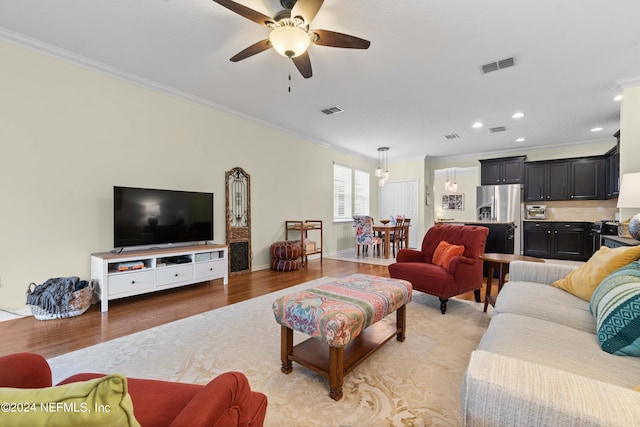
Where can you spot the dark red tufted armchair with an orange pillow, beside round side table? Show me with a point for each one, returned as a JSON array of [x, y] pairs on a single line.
[[464, 272]]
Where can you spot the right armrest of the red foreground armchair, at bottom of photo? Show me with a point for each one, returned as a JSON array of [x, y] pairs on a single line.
[[227, 400]]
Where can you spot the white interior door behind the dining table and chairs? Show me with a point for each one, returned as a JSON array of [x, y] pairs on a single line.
[[401, 198]]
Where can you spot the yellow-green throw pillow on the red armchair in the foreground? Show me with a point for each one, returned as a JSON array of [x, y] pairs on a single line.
[[99, 402]]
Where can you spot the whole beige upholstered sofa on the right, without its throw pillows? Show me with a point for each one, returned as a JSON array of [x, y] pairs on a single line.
[[540, 362]]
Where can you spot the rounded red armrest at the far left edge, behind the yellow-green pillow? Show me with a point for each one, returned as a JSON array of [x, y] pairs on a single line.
[[24, 370]]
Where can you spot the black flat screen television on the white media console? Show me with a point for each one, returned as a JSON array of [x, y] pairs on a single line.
[[147, 217]]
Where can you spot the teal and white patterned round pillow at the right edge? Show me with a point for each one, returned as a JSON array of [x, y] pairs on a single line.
[[615, 305]]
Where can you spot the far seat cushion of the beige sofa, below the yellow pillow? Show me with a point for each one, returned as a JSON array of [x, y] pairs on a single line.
[[542, 302]]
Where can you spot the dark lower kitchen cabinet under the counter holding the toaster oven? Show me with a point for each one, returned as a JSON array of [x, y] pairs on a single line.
[[557, 240]]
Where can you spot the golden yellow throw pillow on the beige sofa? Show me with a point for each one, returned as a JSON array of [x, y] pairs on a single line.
[[584, 280]]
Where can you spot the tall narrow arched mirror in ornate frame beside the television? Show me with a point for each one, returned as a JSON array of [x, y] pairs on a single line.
[[238, 197]]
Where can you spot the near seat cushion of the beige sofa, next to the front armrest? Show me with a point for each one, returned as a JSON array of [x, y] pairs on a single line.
[[558, 346]]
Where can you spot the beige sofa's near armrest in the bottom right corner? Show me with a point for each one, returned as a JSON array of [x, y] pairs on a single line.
[[500, 390]]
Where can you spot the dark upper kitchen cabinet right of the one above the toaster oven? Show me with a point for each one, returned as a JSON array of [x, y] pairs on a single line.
[[587, 178]]
